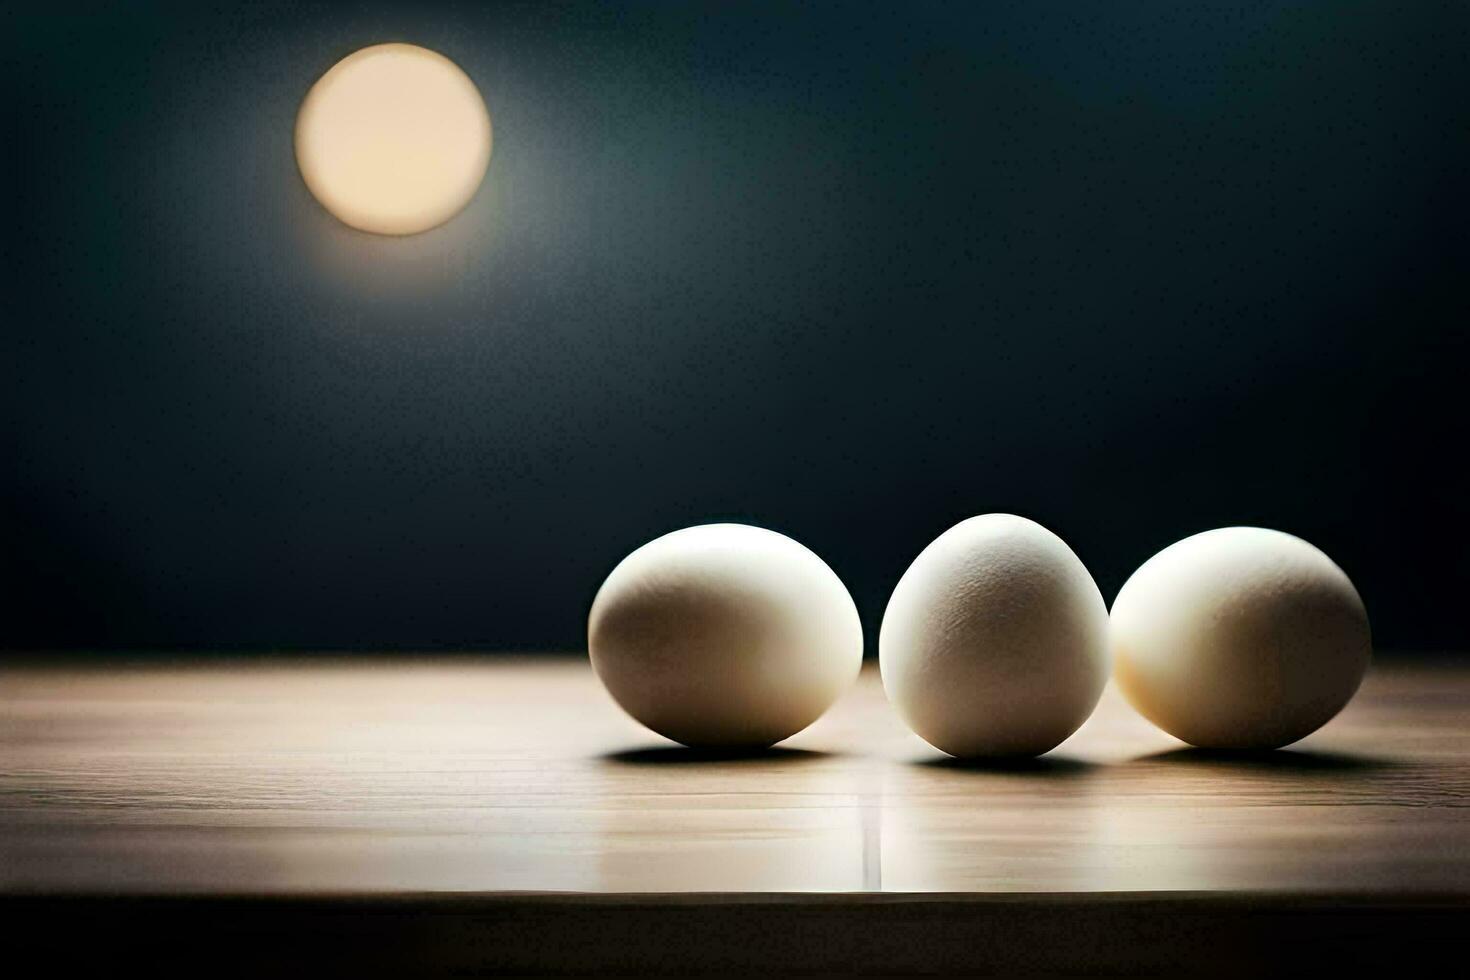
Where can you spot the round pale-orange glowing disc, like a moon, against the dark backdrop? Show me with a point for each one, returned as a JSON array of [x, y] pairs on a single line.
[[393, 140]]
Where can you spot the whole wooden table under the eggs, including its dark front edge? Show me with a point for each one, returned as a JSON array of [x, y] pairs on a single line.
[[481, 815]]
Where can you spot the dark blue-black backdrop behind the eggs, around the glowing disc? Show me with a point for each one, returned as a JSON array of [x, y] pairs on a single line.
[[852, 273]]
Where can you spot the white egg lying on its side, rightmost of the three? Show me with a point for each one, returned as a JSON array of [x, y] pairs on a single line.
[[1240, 638]]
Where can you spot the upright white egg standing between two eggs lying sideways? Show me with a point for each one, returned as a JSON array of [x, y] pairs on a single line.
[[994, 641]]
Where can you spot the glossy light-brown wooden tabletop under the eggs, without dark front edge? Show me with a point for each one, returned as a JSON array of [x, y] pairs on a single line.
[[508, 775]]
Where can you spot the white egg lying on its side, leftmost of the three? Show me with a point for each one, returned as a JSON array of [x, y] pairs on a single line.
[[725, 635]]
